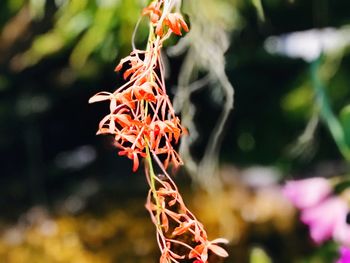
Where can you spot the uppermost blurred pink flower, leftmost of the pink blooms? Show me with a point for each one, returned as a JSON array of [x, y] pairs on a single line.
[[308, 192]]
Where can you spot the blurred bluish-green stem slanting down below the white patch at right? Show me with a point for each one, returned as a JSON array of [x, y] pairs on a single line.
[[326, 112]]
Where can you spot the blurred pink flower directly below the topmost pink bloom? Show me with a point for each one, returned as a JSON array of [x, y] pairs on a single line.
[[324, 218]]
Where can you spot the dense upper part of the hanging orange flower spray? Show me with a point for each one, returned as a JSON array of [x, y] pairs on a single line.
[[141, 114]]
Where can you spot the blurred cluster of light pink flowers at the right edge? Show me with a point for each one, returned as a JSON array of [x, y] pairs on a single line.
[[326, 214]]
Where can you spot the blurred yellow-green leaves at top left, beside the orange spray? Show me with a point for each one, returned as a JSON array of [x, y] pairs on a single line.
[[84, 27]]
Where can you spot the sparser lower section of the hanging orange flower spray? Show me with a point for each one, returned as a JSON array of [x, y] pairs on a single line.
[[177, 227]]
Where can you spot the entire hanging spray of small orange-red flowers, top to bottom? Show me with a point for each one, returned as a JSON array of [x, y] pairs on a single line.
[[145, 127]]
